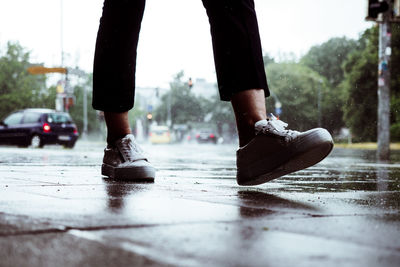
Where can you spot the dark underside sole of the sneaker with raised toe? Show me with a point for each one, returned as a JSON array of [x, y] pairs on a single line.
[[297, 163]]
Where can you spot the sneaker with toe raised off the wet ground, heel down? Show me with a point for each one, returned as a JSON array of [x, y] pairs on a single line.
[[275, 152]]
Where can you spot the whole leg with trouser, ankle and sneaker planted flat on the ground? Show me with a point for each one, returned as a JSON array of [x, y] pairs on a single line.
[[114, 86]]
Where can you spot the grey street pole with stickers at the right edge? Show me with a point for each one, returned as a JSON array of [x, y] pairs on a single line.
[[383, 152]]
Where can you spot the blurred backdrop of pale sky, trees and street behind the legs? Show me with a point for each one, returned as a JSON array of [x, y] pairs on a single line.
[[321, 60]]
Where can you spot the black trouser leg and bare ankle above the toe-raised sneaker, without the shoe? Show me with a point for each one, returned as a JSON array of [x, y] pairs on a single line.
[[238, 61]]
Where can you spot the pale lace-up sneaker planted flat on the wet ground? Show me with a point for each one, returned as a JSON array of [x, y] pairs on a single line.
[[125, 160]]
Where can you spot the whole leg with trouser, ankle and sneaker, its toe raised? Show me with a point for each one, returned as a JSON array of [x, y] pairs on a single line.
[[267, 149]]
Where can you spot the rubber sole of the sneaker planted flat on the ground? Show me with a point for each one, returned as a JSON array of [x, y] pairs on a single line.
[[142, 173]]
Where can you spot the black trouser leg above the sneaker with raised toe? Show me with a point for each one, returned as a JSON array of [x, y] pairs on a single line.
[[237, 47]]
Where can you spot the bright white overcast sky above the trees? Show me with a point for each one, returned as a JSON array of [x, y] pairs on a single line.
[[175, 33]]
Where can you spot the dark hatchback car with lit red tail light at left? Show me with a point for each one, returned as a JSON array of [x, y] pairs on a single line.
[[38, 127]]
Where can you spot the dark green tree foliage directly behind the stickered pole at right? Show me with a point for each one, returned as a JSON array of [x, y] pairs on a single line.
[[360, 86]]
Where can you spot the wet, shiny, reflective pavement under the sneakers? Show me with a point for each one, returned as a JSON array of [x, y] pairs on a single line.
[[57, 210]]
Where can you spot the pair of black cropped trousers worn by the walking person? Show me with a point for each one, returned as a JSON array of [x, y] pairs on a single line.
[[236, 45]]
